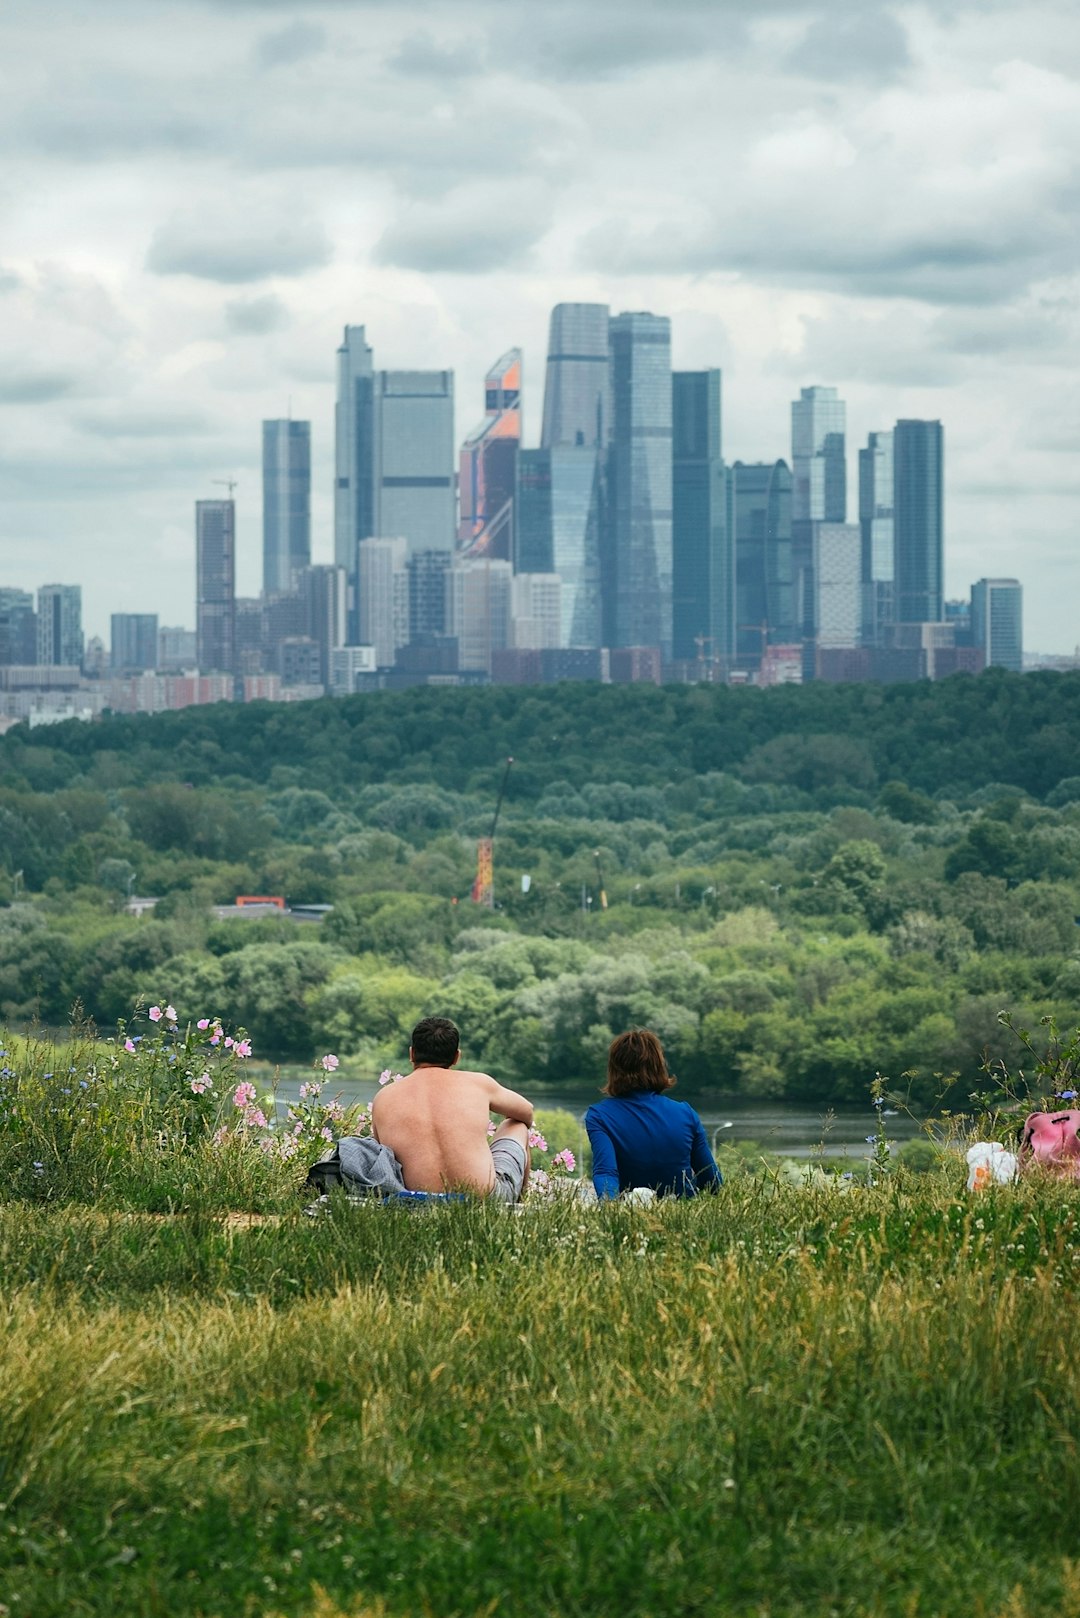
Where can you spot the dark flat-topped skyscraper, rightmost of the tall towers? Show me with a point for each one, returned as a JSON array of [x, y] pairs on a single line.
[[919, 520]]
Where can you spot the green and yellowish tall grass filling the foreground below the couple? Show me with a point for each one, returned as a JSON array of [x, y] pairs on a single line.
[[791, 1404]]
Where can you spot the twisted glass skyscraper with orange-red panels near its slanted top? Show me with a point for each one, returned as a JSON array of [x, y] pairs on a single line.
[[488, 465]]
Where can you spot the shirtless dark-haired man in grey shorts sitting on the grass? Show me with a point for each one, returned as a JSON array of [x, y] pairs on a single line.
[[436, 1122]]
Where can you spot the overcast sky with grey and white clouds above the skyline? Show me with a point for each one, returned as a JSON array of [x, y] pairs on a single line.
[[198, 195]]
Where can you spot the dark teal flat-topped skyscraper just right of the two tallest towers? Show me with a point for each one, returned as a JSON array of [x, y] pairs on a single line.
[[704, 553]]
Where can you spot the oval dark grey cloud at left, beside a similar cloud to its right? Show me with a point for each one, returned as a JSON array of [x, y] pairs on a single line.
[[237, 247]]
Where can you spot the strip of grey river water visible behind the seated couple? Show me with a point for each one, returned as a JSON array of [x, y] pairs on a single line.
[[784, 1129]]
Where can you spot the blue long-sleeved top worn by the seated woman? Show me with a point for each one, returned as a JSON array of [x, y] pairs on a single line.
[[648, 1140]]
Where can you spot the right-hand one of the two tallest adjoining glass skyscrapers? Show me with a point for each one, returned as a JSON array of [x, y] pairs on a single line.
[[637, 541]]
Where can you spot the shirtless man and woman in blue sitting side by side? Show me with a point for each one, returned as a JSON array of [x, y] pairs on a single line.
[[436, 1124]]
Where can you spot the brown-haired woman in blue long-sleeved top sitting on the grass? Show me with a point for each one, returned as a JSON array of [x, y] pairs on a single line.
[[639, 1135]]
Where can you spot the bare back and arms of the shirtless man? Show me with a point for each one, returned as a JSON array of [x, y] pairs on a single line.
[[436, 1124]]
